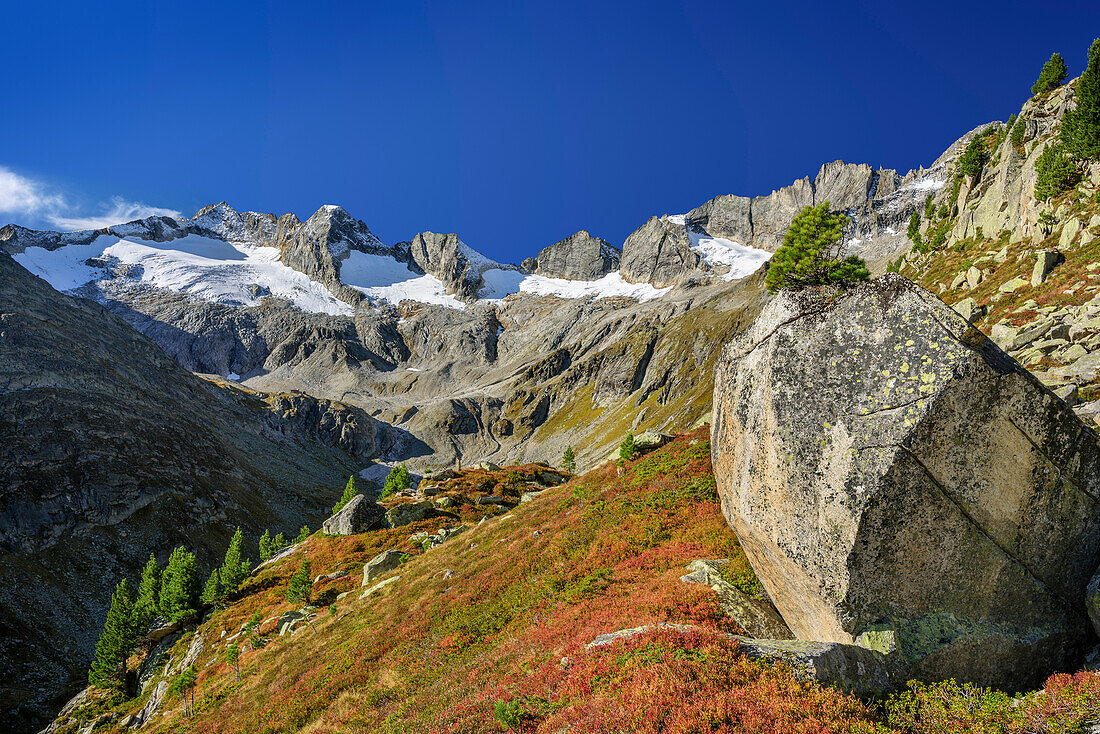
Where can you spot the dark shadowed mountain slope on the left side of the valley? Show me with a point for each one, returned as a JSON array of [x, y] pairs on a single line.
[[111, 452]]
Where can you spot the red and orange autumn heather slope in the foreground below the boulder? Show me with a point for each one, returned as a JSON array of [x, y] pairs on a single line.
[[488, 632]]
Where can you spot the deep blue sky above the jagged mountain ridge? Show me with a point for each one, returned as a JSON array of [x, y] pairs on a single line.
[[513, 124]]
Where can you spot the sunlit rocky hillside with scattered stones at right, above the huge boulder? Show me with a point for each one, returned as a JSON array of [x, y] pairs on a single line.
[[1022, 270]]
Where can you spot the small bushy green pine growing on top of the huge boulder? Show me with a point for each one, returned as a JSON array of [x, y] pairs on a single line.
[[811, 253]]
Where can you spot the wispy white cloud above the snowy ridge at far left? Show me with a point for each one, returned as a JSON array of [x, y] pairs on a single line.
[[39, 205]]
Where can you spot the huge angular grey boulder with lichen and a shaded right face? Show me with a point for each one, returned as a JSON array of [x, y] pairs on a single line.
[[894, 476]]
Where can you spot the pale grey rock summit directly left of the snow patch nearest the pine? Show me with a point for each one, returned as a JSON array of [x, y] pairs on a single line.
[[659, 253]]
